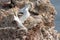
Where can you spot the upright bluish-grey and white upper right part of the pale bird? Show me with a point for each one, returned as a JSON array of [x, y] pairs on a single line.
[[25, 12]]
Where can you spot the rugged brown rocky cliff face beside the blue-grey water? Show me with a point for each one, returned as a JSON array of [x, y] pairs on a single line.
[[40, 24]]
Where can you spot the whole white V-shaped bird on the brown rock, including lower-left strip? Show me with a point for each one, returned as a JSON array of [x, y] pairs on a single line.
[[21, 20]]
